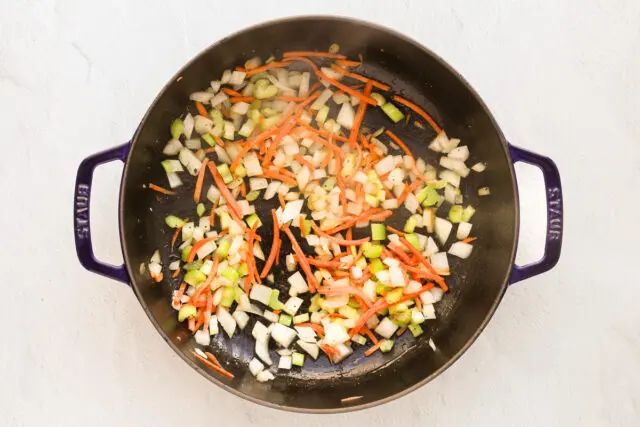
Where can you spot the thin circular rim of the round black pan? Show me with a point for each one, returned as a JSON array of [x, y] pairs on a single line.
[[481, 326]]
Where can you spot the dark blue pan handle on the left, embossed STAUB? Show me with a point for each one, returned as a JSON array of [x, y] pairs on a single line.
[[81, 223]]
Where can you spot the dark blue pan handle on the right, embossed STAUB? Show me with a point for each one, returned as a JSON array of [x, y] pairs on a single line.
[[555, 225]]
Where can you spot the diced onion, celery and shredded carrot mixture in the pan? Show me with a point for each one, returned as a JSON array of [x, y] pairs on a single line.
[[293, 131]]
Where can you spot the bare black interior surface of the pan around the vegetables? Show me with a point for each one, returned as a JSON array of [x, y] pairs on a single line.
[[476, 286]]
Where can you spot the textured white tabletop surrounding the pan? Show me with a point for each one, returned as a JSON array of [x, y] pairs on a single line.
[[561, 78]]
